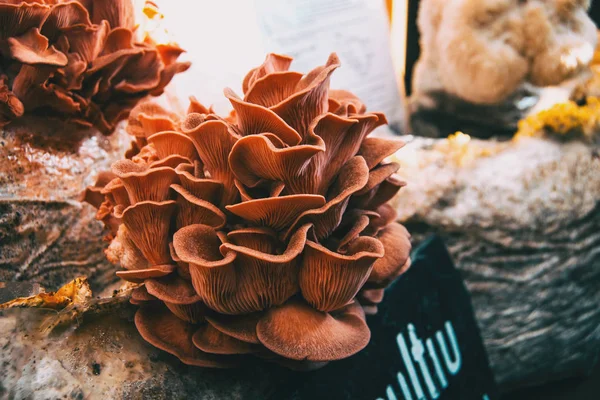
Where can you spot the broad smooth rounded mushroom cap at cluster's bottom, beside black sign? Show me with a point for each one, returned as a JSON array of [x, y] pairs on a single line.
[[316, 335]]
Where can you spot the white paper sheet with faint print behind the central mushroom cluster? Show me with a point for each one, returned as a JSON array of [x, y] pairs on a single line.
[[357, 30]]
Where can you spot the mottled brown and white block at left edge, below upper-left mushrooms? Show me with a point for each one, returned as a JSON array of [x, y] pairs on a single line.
[[46, 235]]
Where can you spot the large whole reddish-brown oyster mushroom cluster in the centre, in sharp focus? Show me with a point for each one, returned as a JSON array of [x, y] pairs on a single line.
[[265, 233]]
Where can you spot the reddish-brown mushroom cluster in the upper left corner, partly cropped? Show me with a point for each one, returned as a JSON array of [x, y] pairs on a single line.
[[78, 61]]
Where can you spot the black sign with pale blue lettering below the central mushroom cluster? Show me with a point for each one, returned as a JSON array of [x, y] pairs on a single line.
[[425, 343]]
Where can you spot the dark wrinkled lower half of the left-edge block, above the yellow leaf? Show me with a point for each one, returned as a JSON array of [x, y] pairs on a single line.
[[50, 243]]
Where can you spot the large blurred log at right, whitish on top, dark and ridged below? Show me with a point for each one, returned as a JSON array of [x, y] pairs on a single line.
[[522, 221]]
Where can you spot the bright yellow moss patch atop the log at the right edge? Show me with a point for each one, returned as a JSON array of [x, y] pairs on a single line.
[[565, 120]]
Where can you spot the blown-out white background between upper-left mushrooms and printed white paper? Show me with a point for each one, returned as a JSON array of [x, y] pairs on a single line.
[[222, 41]]
